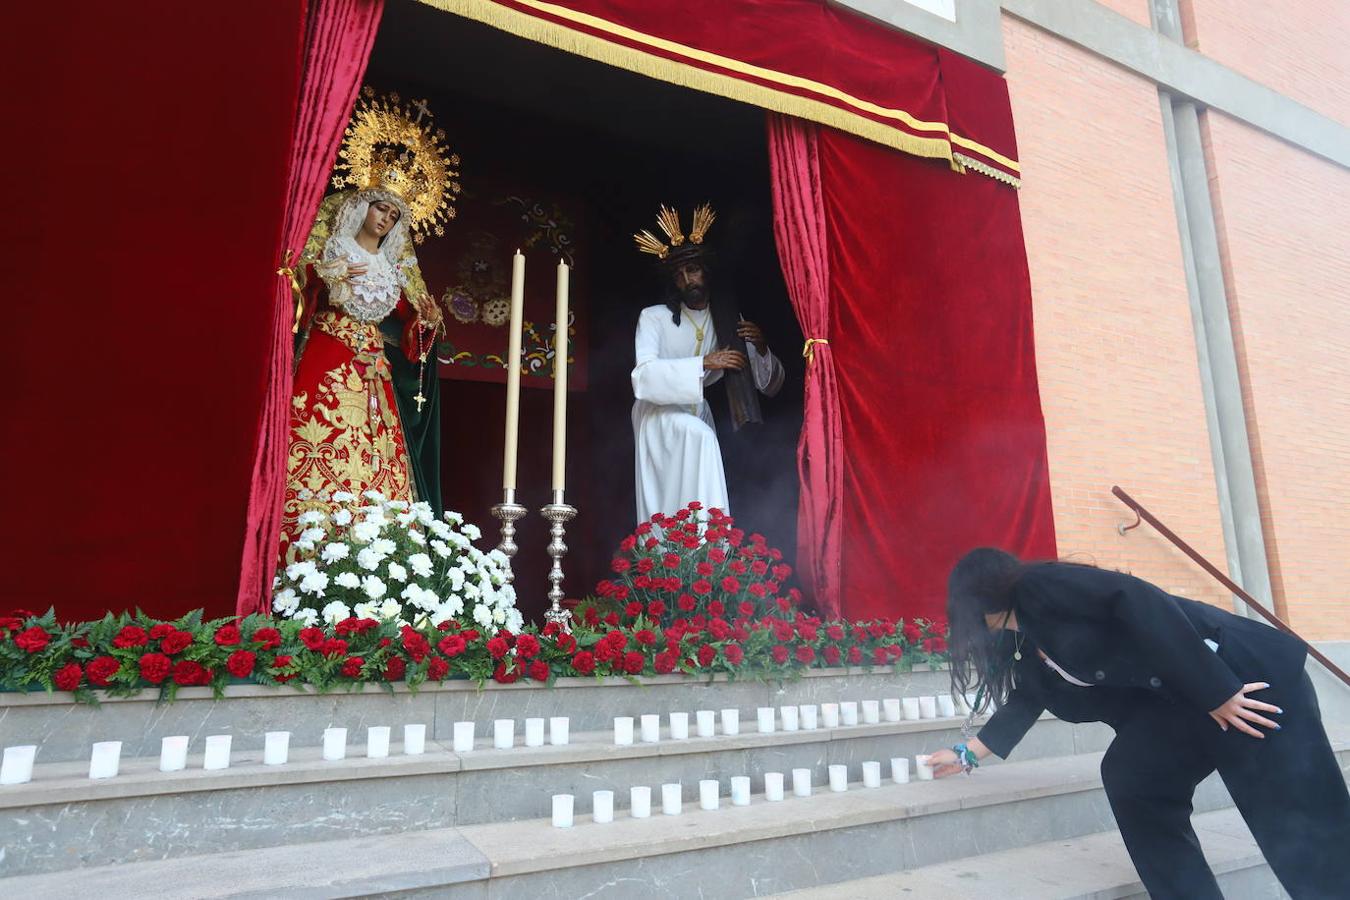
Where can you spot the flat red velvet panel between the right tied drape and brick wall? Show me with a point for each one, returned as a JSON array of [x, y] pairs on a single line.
[[931, 334]]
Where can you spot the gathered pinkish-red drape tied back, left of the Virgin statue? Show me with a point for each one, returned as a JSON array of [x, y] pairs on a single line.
[[338, 40]]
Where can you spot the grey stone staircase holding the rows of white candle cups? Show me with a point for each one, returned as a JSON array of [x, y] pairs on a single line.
[[476, 825]]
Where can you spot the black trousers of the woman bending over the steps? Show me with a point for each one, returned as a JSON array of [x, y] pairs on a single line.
[[1289, 787]]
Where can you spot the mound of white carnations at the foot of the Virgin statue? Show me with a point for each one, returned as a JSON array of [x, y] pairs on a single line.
[[392, 561]]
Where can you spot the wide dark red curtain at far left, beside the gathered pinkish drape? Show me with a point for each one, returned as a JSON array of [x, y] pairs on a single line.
[[146, 161]]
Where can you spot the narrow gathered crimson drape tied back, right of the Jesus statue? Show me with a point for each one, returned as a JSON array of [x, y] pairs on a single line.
[[804, 253]]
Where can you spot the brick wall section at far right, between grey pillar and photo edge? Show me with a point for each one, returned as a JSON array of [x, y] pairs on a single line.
[[1285, 229]]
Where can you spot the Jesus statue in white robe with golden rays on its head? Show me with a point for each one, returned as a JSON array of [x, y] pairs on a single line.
[[685, 346]]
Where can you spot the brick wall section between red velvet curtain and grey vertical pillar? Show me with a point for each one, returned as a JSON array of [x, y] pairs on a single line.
[[1116, 349]]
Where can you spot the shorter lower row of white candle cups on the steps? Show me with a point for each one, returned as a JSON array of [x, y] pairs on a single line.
[[711, 791]]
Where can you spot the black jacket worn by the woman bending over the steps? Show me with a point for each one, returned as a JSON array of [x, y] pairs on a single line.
[[1128, 639]]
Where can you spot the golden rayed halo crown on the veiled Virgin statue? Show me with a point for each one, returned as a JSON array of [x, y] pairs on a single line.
[[395, 146]]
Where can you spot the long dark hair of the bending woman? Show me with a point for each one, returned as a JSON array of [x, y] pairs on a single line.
[[982, 660]]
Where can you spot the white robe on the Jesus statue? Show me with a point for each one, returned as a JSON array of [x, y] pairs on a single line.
[[678, 458]]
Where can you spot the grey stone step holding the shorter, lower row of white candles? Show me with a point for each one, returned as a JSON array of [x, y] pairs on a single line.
[[734, 852]]
